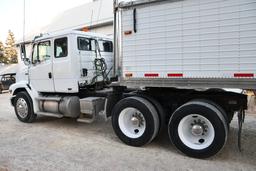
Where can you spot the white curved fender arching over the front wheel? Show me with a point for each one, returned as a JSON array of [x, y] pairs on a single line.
[[21, 86]]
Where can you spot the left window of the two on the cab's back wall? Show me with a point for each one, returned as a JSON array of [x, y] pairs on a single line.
[[85, 44]]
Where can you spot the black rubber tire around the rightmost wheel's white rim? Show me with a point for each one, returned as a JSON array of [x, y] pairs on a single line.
[[213, 115]]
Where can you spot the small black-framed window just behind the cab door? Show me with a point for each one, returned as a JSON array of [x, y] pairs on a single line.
[[61, 47]]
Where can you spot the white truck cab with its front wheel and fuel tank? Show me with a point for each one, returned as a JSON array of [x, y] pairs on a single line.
[[59, 68]]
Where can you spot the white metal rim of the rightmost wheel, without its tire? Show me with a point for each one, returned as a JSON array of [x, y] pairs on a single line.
[[196, 131]]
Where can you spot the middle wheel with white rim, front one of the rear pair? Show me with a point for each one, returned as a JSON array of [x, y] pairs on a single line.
[[135, 121]]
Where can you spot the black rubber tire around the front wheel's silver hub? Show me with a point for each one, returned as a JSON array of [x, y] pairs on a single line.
[[31, 116]]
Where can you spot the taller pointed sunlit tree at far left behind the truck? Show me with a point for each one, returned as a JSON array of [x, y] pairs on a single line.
[[10, 51]]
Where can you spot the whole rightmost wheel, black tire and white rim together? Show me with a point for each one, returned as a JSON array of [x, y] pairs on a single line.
[[198, 129]]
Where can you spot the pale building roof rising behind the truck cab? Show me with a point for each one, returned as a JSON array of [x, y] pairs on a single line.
[[96, 16]]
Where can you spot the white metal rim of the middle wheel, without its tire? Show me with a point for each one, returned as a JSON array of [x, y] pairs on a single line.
[[132, 122]]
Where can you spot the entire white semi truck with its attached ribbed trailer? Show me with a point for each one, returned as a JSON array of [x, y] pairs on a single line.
[[168, 68]]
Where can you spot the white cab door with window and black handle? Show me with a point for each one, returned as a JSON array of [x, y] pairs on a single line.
[[40, 71]]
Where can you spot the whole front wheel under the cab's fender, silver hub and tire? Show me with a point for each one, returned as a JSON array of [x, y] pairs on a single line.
[[24, 107]]
